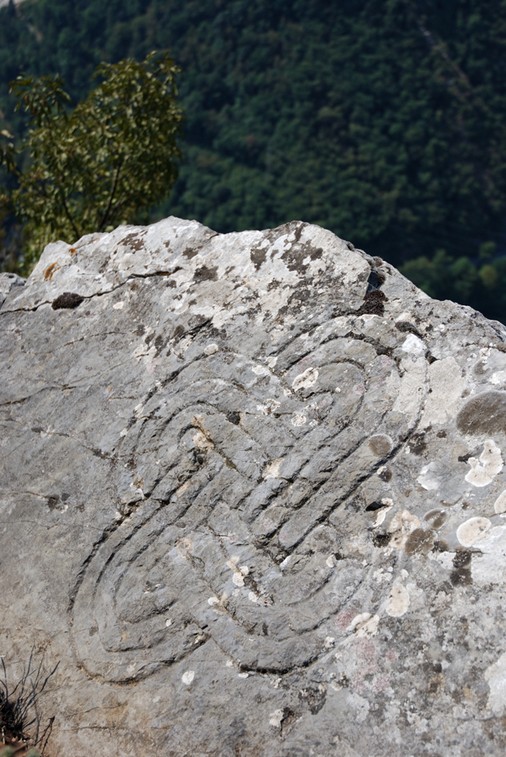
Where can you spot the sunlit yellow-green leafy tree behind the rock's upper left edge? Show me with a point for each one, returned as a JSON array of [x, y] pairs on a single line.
[[92, 166]]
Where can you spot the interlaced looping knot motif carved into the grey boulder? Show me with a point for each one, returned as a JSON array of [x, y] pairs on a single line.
[[235, 474]]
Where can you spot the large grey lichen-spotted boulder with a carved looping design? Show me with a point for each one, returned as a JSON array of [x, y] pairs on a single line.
[[253, 499]]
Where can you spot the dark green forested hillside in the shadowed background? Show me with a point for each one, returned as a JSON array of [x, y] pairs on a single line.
[[383, 120]]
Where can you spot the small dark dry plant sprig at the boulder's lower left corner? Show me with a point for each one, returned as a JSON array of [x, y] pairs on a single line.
[[19, 713]]
